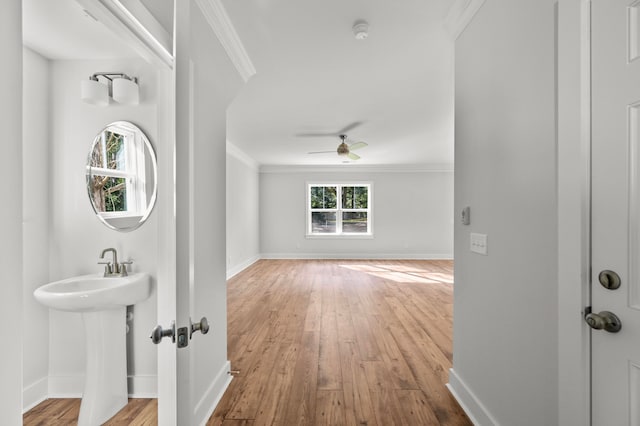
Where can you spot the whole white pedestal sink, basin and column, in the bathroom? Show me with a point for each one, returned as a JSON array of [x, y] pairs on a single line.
[[102, 301]]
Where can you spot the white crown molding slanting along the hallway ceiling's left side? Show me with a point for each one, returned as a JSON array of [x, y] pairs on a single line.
[[216, 15]]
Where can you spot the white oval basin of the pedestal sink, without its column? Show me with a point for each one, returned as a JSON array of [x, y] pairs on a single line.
[[90, 293]]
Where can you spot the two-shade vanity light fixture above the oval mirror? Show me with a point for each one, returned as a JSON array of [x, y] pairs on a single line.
[[119, 86]]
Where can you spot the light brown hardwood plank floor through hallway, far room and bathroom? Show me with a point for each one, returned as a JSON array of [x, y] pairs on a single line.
[[327, 342]]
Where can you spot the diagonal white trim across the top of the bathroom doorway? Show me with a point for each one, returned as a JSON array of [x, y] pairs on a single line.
[[116, 17]]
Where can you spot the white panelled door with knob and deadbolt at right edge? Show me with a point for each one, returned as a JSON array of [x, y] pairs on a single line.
[[616, 209]]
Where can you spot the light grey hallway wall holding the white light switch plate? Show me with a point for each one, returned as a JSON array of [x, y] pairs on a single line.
[[506, 303]]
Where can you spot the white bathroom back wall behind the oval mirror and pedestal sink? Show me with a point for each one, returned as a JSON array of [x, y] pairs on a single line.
[[77, 237]]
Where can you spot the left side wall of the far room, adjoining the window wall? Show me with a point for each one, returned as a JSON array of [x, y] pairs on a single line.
[[243, 243]]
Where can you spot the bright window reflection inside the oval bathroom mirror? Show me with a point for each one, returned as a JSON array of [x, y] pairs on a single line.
[[117, 170]]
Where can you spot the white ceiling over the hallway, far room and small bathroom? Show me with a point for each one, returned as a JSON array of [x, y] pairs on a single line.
[[393, 90]]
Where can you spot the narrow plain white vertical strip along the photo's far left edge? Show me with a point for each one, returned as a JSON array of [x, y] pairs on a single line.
[[11, 213]]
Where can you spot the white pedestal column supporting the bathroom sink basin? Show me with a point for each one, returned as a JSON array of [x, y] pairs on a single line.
[[105, 386]]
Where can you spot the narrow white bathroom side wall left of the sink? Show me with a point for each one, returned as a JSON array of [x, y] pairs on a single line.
[[36, 201]]
